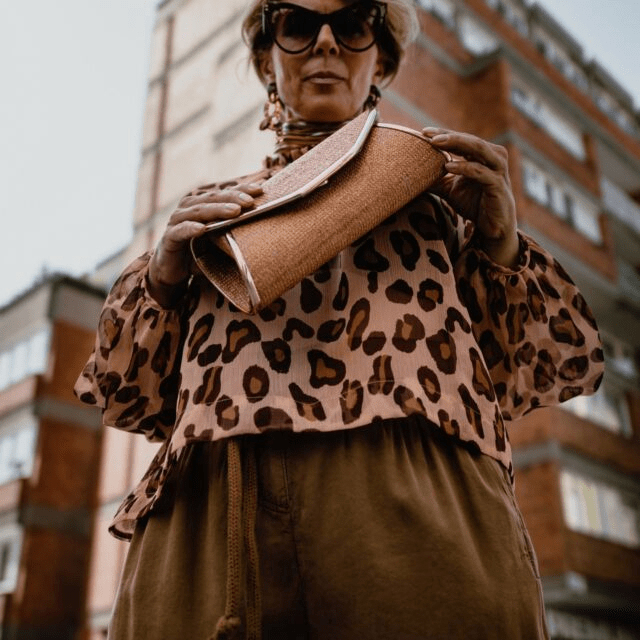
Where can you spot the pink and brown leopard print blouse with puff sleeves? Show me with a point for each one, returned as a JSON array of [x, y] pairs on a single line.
[[412, 318]]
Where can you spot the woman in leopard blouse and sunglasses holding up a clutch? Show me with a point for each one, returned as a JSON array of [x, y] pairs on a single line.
[[337, 466]]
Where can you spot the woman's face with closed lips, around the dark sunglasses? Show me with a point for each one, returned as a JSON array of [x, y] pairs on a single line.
[[327, 82]]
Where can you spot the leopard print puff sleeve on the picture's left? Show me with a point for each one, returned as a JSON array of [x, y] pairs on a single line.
[[131, 374]]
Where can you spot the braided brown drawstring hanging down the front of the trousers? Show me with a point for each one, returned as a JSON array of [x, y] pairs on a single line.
[[241, 531]]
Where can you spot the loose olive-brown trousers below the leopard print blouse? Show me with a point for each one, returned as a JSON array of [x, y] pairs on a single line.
[[393, 531]]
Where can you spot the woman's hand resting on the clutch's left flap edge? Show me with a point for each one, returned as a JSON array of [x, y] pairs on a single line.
[[170, 265]]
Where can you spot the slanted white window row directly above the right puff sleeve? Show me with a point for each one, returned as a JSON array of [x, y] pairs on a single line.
[[563, 201]]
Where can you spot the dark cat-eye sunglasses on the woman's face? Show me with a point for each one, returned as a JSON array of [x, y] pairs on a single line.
[[296, 29]]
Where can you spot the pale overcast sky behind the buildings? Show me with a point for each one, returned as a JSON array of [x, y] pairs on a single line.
[[73, 83]]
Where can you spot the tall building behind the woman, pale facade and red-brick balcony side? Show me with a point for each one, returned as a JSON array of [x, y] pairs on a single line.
[[507, 71]]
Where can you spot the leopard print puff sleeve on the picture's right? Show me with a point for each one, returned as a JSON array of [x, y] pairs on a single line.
[[538, 336]]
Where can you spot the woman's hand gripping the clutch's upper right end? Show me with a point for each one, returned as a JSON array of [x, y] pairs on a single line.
[[478, 187]]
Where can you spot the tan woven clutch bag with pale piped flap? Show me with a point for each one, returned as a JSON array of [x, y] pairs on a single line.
[[314, 208]]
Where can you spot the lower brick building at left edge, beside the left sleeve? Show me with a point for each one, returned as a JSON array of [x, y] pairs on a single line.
[[49, 454]]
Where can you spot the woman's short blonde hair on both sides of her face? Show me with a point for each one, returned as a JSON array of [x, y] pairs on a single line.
[[400, 29]]
